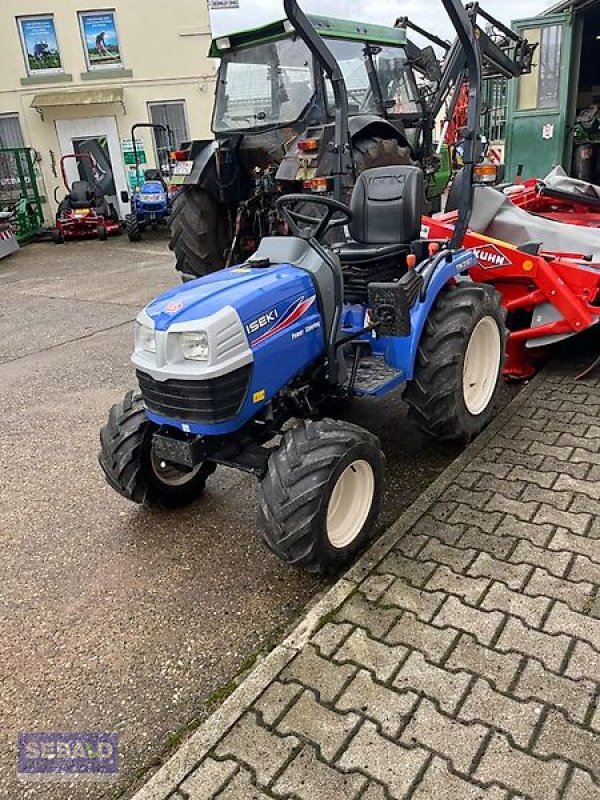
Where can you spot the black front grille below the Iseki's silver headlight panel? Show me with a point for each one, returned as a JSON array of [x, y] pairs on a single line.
[[205, 402]]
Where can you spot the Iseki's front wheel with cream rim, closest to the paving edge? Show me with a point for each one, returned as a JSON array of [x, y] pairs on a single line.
[[321, 495]]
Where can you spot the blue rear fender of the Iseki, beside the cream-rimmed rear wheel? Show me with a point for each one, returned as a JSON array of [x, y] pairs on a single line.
[[401, 351]]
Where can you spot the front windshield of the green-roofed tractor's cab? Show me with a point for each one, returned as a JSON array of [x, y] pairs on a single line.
[[262, 86]]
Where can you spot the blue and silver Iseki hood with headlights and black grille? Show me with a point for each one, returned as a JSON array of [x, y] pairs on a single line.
[[247, 328]]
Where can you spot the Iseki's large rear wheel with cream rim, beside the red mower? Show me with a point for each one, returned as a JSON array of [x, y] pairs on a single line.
[[458, 370]]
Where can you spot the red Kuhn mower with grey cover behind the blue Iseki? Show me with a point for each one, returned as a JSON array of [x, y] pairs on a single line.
[[539, 246]]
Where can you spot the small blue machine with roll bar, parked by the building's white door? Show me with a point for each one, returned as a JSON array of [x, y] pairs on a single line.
[[151, 199]]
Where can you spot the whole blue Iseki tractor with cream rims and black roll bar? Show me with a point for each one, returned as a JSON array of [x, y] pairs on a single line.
[[243, 366]]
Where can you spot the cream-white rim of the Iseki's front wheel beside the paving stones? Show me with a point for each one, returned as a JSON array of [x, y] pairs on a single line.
[[350, 503]]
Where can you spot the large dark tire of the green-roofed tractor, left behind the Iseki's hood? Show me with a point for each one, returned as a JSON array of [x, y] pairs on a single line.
[[198, 232]]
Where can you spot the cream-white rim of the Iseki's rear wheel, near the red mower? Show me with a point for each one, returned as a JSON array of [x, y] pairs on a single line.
[[482, 365]]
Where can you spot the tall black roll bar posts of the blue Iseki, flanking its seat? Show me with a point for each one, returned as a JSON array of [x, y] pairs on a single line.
[[473, 74]]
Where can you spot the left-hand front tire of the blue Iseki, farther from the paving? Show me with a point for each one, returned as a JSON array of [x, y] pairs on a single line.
[[132, 469]]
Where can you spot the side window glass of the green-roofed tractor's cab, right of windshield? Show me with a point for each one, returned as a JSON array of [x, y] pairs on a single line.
[[375, 75]]
